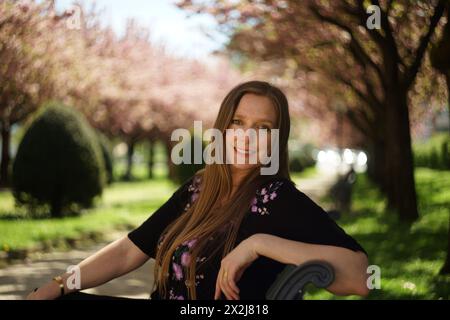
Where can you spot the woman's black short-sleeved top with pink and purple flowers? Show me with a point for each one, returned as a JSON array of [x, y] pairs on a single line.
[[278, 208]]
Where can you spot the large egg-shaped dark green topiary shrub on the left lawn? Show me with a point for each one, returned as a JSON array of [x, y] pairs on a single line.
[[59, 167]]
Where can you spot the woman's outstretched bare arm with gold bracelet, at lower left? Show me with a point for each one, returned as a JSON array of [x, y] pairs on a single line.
[[114, 260]]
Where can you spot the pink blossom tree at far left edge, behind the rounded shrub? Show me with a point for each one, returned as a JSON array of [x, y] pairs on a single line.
[[29, 46]]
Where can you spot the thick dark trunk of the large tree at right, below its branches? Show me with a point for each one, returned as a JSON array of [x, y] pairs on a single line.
[[401, 191]]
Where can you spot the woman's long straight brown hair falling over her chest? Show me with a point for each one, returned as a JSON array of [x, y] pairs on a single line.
[[206, 218]]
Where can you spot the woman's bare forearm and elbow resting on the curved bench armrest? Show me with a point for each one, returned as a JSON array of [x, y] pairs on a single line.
[[350, 267]]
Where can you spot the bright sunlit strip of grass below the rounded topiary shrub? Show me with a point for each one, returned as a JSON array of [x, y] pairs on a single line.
[[123, 204]]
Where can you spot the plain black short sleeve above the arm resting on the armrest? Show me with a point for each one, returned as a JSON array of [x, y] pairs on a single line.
[[293, 215]]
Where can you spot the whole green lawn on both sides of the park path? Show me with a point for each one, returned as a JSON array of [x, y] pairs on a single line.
[[409, 257]]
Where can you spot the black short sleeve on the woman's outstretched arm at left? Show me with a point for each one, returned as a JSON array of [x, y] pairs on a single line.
[[146, 236]]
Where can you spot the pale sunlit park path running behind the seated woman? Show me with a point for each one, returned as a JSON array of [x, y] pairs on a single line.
[[18, 279]]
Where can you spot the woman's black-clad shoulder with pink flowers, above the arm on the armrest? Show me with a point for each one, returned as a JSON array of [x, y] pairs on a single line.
[[279, 208]]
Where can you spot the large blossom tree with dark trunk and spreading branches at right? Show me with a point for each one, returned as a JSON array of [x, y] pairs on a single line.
[[378, 63]]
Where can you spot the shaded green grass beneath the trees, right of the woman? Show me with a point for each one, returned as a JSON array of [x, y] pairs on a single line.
[[409, 257]]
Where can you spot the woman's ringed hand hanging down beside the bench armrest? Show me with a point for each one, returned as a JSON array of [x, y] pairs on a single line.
[[232, 268]]
